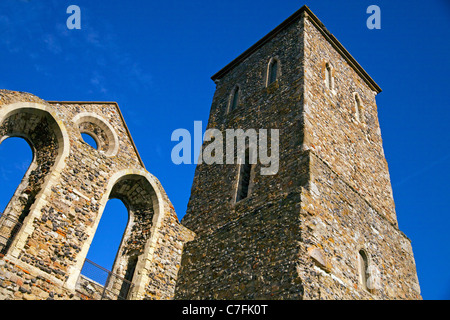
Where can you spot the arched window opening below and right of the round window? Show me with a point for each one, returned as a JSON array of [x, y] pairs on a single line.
[[130, 238]]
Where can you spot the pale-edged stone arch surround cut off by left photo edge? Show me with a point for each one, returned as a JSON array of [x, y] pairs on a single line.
[[47, 138]]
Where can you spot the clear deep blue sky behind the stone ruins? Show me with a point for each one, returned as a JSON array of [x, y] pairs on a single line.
[[155, 59]]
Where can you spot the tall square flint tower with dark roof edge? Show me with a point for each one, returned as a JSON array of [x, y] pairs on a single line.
[[324, 226]]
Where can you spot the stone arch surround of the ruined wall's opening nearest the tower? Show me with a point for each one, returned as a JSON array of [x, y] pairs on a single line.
[[144, 240]]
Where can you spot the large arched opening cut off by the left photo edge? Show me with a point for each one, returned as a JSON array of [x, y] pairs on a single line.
[[44, 137]]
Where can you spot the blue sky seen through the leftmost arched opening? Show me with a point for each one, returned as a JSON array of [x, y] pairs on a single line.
[[15, 159]]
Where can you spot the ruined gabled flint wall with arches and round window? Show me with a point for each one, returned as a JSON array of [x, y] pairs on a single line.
[[48, 226]]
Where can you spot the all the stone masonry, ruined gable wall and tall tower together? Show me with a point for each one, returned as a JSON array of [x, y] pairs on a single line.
[[323, 227]]
